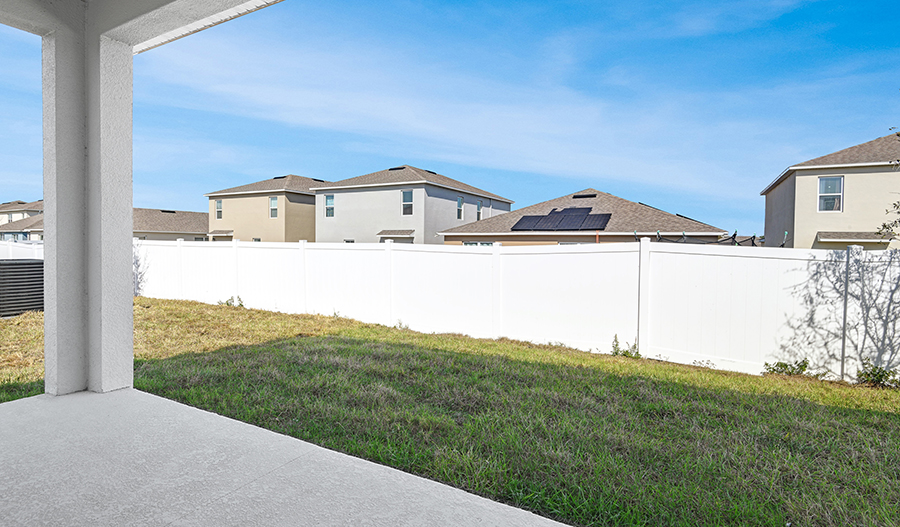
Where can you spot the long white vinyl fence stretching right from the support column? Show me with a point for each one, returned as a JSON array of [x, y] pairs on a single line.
[[730, 307]]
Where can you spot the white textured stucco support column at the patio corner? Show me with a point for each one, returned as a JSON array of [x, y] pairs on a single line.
[[87, 201]]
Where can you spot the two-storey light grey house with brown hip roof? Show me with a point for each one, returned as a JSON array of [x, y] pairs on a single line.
[[404, 204]]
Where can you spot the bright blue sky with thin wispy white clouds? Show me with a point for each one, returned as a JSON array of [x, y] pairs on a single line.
[[692, 107]]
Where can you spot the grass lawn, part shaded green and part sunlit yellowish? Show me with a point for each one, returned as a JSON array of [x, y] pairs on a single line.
[[585, 439]]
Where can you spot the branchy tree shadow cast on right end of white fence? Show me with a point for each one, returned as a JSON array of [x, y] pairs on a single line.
[[873, 312]]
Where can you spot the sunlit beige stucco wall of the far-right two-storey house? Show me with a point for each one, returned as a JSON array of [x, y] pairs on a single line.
[[868, 192]]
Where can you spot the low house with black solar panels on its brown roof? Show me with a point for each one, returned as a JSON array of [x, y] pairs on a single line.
[[589, 216]]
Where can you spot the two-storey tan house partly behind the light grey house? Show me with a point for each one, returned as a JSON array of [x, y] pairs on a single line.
[[280, 209]]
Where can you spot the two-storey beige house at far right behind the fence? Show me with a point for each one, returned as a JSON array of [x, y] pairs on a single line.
[[835, 200]]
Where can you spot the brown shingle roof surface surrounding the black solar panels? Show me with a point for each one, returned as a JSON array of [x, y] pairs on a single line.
[[625, 216]]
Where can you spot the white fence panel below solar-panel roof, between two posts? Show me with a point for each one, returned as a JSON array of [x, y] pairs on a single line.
[[580, 295]]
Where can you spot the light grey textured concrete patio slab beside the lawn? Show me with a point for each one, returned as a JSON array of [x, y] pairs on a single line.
[[131, 458]]
